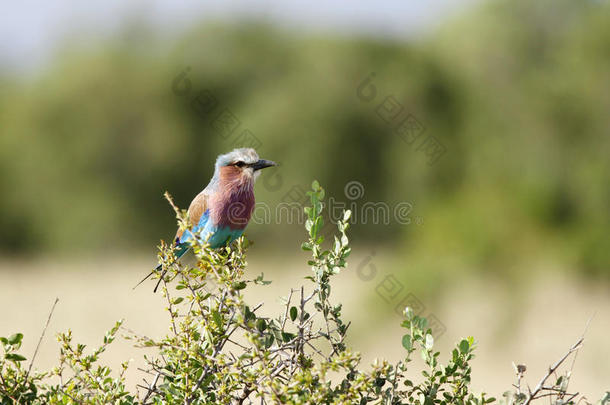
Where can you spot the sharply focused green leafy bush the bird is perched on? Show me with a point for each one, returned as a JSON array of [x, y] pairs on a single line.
[[220, 350]]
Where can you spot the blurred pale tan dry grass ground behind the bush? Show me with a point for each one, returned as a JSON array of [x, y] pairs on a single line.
[[535, 330]]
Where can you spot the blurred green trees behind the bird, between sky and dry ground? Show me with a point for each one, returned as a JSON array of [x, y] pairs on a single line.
[[517, 94]]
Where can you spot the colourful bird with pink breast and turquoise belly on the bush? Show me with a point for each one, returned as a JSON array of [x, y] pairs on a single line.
[[222, 210]]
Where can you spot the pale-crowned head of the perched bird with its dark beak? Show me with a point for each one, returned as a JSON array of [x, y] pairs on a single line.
[[241, 163]]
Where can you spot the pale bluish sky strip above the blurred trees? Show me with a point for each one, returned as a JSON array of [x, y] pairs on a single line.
[[31, 29]]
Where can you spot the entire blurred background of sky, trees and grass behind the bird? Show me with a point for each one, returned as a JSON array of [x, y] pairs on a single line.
[[105, 105]]
